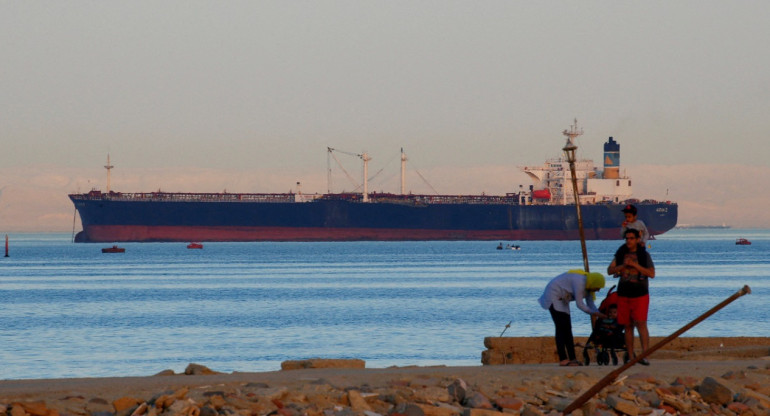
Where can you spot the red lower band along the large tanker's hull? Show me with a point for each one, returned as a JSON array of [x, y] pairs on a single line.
[[108, 233]]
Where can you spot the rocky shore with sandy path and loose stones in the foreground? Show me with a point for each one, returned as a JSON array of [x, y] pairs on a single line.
[[724, 386]]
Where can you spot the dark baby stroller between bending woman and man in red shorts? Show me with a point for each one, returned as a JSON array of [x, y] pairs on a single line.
[[607, 336]]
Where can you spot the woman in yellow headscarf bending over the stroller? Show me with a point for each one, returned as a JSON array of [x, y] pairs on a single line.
[[574, 285]]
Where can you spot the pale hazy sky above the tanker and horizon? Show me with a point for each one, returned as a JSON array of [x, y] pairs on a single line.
[[247, 96]]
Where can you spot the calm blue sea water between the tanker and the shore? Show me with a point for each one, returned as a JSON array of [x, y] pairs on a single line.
[[67, 310]]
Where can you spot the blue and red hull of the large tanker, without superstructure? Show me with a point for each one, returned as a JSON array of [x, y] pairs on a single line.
[[107, 220]]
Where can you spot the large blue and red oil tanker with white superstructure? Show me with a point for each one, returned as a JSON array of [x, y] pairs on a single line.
[[544, 211]]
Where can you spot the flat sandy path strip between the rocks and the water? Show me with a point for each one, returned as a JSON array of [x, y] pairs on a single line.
[[493, 376]]
